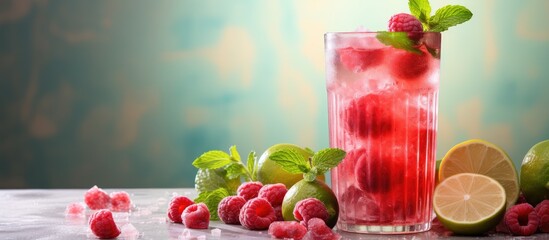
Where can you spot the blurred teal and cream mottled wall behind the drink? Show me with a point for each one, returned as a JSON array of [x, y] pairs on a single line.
[[128, 93]]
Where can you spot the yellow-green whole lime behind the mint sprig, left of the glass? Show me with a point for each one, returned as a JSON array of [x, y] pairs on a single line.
[[269, 172]]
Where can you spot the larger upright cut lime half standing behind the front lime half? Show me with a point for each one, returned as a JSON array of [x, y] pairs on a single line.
[[482, 157]]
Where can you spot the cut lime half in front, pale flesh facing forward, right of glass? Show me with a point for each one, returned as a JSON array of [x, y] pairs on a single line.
[[469, 203]]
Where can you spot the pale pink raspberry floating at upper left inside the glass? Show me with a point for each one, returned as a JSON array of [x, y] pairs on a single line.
[[358, 60]]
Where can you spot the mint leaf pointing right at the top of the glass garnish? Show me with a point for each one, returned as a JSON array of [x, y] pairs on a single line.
[[449, 16]]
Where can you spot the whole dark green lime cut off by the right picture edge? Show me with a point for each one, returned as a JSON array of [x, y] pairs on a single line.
[[534, 173]]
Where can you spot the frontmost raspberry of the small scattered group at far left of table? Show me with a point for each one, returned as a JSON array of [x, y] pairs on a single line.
[[102, 224]]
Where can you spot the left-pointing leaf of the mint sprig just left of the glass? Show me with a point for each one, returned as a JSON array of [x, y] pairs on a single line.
[[291, 161]]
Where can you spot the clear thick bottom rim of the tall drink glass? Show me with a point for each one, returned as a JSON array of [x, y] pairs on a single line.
[[384, 229]]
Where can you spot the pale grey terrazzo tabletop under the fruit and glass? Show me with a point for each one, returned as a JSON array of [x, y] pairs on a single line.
[[39, 214]]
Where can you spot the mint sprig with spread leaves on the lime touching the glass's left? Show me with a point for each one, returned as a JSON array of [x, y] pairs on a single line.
[[322, 161]]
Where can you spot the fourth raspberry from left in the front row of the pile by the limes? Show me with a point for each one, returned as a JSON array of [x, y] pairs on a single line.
[[257, 214]]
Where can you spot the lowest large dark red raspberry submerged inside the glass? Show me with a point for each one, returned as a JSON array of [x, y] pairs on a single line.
[[372, 168]]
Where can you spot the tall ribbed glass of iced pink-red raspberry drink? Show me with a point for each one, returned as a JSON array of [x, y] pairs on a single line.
[[382, 105]]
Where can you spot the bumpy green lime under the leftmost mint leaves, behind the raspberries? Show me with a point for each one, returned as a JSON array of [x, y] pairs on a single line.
[[210, 179]]
